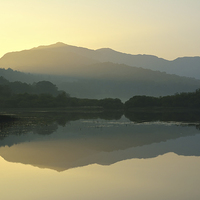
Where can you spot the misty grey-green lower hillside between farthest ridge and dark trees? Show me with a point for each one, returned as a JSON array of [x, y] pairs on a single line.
[[104, 80]]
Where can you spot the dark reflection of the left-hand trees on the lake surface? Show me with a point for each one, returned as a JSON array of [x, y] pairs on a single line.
[[45, 123]]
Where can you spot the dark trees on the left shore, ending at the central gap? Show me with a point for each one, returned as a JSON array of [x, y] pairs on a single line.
[[44, 94]]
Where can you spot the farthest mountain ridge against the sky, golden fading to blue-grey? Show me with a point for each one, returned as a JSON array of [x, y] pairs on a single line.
[[60, 58]]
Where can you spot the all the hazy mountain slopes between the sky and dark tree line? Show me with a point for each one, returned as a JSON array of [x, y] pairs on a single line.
[[86, 73]]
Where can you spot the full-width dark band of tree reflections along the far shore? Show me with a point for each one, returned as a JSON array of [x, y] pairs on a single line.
[[46, 123]]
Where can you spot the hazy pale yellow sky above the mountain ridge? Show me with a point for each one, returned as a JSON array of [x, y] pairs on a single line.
[[166, 28]]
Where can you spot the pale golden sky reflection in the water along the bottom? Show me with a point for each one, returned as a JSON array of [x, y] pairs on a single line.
[[164, 177]]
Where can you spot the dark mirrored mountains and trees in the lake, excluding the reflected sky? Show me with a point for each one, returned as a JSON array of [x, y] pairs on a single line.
[[61, 141]]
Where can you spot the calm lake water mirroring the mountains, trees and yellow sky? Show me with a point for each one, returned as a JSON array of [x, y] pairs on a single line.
[[88, 156]]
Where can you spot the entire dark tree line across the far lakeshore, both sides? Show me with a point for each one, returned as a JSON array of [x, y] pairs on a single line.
[[45, 94]]
